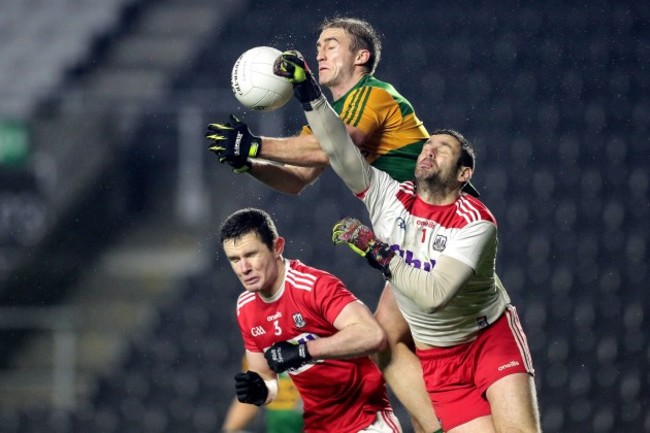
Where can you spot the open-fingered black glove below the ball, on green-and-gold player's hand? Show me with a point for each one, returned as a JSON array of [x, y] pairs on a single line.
[[233, 143]]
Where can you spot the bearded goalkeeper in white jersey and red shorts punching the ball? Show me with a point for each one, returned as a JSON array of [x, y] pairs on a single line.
[[437, 247]]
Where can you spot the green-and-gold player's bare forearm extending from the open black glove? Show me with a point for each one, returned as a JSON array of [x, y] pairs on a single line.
[[301, 150]]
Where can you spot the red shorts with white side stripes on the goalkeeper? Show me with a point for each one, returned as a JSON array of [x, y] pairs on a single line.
[[457, 377]]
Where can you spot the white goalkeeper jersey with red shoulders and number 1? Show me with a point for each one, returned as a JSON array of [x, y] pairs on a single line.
[[464, 230]]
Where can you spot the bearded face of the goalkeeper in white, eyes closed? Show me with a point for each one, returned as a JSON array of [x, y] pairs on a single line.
[[438, 160]]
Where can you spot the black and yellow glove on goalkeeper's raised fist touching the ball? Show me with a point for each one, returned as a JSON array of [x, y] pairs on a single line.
[[291, 65]]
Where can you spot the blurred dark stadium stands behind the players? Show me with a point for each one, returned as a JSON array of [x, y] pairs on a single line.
[[116, 307]]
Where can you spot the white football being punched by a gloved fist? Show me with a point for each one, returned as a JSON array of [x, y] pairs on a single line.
[[254, 84]]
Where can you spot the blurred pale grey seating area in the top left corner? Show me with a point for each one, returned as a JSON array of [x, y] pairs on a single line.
[[41, 39]]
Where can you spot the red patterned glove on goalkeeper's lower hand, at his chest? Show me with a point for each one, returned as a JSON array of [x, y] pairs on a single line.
[[363, 241]]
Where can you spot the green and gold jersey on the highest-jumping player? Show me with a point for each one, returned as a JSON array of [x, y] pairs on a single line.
[[394, 134]]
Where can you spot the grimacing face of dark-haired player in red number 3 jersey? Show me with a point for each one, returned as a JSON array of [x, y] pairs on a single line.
[[256, 266]]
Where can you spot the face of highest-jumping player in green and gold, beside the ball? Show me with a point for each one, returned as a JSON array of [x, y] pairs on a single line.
[[335, 60]]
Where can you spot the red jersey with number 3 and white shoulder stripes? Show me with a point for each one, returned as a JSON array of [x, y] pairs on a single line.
[[340, 395]]
